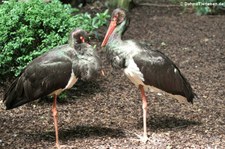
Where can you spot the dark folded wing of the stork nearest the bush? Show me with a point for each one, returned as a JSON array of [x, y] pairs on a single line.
[[41, 77]]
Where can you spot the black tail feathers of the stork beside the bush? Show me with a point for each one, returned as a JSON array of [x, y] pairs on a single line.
[[15, 96]]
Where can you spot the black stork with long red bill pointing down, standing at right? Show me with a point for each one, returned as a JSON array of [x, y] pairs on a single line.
[[146, 68]]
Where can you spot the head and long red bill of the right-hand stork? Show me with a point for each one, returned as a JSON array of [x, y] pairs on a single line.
[[118, 23]]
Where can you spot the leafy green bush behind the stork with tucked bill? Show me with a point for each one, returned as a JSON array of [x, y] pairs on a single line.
[[28, 29]]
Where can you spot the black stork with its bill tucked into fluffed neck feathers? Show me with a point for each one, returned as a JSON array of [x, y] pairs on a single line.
[[53, 72]]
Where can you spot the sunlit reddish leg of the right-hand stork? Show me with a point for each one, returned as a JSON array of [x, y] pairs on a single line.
[[144, 107]]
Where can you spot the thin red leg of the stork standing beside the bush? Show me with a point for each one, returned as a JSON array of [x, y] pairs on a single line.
[[55, 116]]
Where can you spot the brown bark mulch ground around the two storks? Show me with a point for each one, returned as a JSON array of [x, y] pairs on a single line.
[[107, 112]]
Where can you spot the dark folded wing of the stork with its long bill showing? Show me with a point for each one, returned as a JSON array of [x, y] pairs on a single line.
[[159, 71]]
